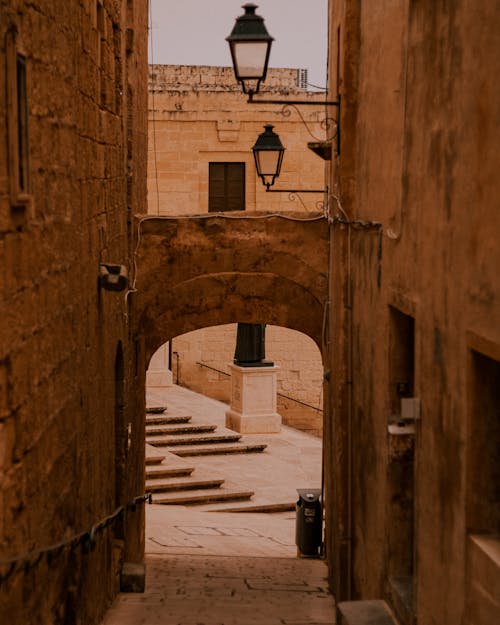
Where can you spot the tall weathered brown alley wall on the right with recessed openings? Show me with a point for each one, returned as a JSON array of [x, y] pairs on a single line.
[[419, 155]]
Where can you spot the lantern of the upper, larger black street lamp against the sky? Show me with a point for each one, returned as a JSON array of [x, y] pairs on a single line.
[[250, 45]]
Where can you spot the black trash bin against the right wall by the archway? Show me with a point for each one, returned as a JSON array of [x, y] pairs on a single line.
[[309, 522]]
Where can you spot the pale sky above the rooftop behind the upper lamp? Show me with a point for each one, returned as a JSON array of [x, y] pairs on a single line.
[[193, 32]]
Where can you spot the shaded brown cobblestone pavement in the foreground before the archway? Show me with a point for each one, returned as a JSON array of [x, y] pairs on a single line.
[[222, 590]]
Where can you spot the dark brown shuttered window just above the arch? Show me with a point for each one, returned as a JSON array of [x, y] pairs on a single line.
[[226, 187]]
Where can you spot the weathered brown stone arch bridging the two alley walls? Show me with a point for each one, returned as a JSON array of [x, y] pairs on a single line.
[[199, 271]]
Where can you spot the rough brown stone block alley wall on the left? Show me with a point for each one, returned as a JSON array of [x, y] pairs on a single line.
[[67, 359]]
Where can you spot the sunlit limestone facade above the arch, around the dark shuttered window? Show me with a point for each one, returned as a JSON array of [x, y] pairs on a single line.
[[197, 114]]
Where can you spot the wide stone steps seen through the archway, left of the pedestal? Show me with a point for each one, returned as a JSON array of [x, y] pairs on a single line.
[[174, 481]]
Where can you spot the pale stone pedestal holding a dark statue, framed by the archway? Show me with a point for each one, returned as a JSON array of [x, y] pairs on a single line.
[[253, 400]]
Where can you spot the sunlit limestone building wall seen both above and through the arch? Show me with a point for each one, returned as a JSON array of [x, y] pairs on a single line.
[[198, 115]]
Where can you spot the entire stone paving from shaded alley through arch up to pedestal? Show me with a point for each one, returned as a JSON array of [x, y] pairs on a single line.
[[221, 568]]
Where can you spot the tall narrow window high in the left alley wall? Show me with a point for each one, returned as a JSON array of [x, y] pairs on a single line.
[[17, 121]]
